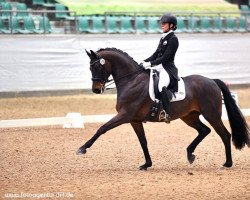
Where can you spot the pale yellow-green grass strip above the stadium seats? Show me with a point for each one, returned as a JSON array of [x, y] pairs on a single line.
[[86, 7]]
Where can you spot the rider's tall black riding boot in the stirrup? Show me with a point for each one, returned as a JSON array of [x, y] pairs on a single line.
[[166, 96]]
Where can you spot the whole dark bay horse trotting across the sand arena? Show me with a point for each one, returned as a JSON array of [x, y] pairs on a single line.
[[203, 97]]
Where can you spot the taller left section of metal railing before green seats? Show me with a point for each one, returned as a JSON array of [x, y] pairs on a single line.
[[37, 22]]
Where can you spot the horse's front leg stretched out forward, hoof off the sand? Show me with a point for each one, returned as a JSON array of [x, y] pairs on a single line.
[[119, 119]]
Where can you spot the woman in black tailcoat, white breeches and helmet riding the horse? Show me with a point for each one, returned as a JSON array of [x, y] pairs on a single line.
[[163, 57]]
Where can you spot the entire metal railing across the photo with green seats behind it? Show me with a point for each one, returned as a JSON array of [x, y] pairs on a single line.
[[63, 22]]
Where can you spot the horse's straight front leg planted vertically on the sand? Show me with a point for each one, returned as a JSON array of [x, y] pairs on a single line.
[[139, 130]]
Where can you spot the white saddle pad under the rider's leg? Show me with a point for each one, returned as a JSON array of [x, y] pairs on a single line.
[[179, 95]]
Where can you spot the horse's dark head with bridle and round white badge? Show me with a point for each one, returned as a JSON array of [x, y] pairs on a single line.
[[99, 68]]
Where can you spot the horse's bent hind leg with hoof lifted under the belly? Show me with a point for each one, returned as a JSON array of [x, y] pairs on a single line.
[[193, 121]]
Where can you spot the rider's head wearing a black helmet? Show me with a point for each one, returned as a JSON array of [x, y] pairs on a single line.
[[168, 22]]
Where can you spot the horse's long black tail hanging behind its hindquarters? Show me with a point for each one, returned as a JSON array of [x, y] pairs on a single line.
[[240, 129]]
